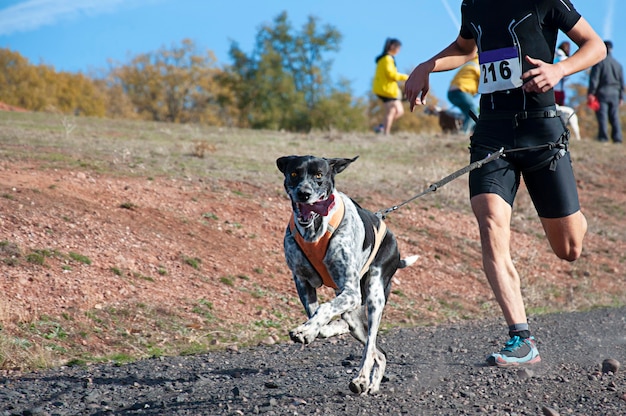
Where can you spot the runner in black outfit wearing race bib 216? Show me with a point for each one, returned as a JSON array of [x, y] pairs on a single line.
[[516, 42]]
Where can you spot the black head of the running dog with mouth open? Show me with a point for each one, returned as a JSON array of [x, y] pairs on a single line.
[[310, 182]]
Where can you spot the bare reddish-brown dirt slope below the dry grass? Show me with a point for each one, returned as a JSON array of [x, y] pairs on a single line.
[[96, 264]]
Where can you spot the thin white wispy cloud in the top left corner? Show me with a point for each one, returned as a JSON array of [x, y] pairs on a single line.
[[32, 14]]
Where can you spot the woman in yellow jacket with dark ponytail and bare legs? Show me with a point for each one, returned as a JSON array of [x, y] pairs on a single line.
[[385, 84]]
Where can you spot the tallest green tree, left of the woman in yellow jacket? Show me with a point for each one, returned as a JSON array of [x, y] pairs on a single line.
[[285, 83]]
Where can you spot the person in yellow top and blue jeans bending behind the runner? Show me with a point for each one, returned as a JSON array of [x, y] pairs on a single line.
[[463, 88]]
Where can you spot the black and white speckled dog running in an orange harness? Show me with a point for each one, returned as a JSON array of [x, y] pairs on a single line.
[[332, 241]]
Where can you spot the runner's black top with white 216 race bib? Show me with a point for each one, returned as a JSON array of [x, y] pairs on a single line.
[[507, 31]]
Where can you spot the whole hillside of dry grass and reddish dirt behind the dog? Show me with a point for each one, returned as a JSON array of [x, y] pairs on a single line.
[[123, 239]]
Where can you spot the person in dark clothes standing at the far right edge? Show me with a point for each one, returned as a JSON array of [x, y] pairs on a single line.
[[606, 85]]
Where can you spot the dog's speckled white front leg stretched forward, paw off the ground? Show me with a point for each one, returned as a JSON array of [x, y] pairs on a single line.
[[348, 299]]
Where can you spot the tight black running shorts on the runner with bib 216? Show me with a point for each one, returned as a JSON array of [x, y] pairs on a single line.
[[553, 192]]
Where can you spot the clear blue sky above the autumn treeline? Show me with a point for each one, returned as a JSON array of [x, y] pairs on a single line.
[[82, 35]]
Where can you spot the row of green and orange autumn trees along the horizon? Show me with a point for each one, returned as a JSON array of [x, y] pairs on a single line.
[[284, 83]]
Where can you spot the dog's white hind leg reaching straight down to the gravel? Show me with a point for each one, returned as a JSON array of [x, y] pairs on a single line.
[[373, 362]]
